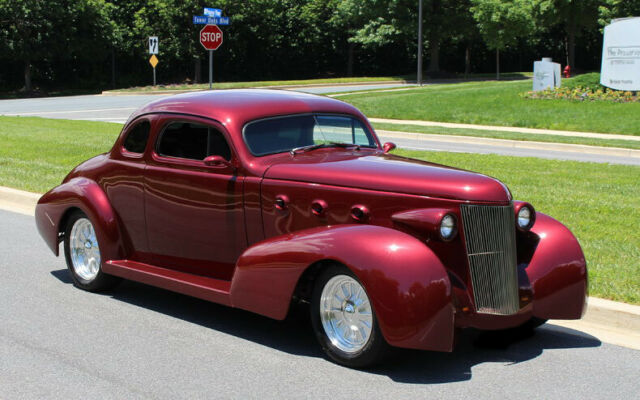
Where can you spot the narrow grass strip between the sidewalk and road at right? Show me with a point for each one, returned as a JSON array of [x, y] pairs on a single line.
[[434, 130]]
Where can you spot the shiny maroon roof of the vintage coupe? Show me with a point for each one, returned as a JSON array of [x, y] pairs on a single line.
[[238, 106]]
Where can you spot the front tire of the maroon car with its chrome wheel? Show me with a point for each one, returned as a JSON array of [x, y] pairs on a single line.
[[349, 336]]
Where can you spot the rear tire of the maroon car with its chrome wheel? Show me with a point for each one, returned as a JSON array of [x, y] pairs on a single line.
[[82, 253]]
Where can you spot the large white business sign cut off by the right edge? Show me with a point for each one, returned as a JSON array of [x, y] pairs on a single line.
[[621, 55]]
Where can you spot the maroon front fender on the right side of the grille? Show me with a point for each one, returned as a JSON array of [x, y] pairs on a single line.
[[557, 272]]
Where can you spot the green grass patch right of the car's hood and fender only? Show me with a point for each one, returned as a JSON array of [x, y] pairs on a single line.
[[600, 203]]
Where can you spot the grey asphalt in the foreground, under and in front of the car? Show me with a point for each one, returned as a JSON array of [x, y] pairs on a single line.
[[57, 341]]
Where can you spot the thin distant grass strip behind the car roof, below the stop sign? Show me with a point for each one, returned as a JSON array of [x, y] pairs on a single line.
[[239, 85]]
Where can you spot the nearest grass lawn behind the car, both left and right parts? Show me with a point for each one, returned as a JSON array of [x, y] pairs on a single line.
[[599, 202]]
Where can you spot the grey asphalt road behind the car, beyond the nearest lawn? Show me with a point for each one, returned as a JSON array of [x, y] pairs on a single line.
[[118, 108]]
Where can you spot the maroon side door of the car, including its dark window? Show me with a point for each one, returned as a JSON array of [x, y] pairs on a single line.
[[194, 212]]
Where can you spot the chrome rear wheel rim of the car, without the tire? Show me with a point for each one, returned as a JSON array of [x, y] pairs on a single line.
[[85, 253]]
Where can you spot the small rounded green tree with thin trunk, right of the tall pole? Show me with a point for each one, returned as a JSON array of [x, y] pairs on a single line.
[[502, 22]]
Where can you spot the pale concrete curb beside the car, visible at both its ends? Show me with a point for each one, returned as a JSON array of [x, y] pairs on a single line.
[[611, 321]]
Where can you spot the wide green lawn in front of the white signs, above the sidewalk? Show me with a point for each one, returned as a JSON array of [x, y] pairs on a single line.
[[497, 103]]
